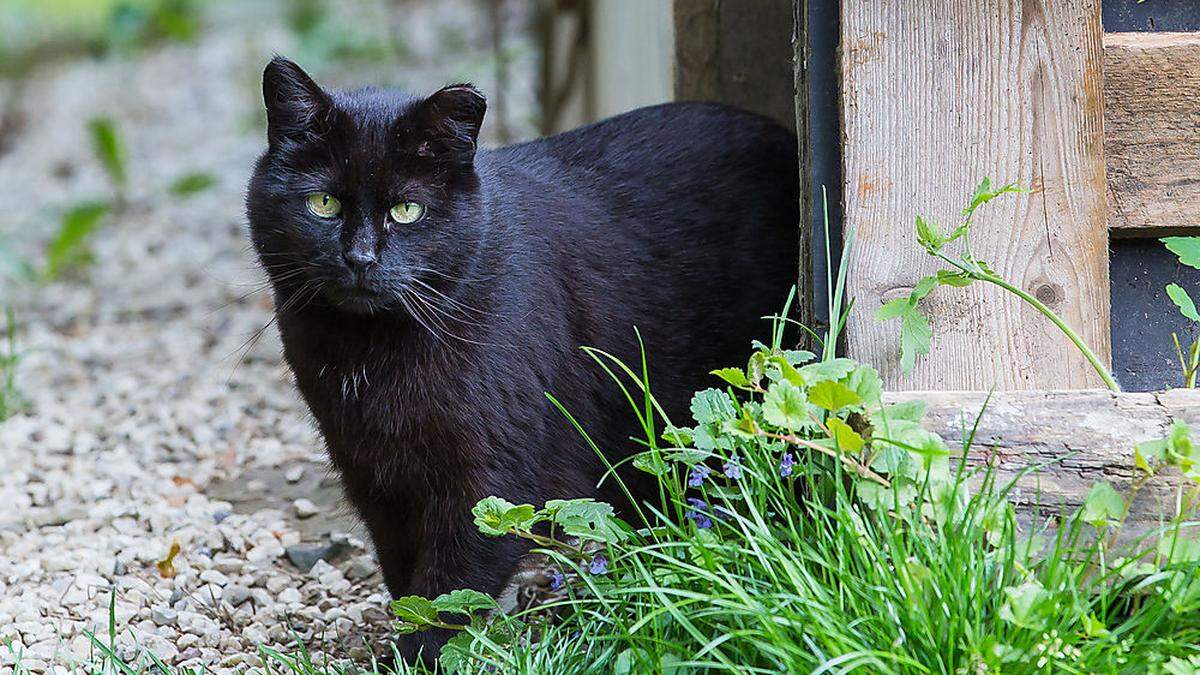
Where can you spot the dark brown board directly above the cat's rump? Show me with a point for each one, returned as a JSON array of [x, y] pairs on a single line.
[[730, 53]]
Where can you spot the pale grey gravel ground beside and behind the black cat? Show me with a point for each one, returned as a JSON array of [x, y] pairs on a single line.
[[154, 422]]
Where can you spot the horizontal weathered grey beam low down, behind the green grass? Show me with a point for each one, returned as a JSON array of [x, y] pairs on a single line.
[[1076, 438]]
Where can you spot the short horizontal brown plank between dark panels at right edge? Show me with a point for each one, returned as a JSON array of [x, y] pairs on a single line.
[[1153, 133]]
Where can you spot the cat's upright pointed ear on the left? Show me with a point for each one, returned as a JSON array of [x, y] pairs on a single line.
[[297, 107]]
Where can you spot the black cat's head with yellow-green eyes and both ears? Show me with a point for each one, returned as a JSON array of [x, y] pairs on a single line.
[[364, 199]]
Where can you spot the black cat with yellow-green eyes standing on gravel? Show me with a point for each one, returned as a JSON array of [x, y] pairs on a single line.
[[430, 292]]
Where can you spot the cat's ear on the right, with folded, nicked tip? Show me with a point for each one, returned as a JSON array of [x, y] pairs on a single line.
[[452, 120]]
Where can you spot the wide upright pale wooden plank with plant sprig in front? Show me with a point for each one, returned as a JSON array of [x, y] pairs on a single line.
[[937, 95]]
